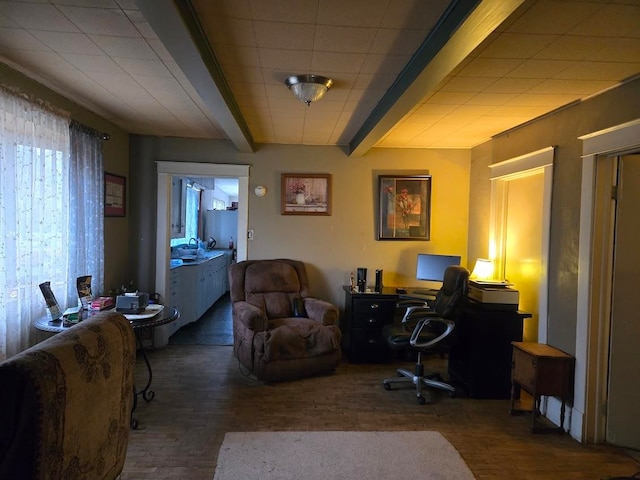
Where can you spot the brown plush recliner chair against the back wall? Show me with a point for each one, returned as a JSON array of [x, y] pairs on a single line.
[[280, 332]]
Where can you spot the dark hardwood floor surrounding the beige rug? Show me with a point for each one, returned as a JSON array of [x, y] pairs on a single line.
[[202, 393]]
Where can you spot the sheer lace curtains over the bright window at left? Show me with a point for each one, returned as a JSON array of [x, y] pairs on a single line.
[[43, 219]]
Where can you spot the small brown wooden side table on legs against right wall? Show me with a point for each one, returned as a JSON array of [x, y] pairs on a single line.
[[540, 369]]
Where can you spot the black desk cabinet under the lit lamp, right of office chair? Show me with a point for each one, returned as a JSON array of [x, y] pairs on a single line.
[[480, 358]]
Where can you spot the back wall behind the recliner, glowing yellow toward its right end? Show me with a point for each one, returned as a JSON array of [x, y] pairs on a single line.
[[332, 246]]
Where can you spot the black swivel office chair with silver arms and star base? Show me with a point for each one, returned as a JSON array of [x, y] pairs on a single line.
[[427, 330]]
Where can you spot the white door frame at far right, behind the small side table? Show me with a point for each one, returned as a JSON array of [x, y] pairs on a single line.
[[592, 334]]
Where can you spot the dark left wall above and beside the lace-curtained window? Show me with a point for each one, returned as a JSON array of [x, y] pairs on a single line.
[[116, 160]]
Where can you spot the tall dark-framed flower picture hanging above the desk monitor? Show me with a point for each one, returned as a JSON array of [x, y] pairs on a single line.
[[404, 207]]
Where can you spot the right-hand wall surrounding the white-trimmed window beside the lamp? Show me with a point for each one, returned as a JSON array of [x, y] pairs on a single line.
[[561, 130]]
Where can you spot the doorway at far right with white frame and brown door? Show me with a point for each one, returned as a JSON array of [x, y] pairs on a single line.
[[603, 381]]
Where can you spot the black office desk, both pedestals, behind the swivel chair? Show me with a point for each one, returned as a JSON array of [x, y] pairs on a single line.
[[479, 361]]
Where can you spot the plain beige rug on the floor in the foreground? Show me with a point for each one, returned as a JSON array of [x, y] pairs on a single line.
[[339, 455]]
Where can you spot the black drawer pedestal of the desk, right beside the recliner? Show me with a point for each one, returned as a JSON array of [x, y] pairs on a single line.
[[365, 315]]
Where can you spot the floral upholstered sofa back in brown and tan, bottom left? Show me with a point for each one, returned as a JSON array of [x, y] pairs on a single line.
[[65, 403]]
